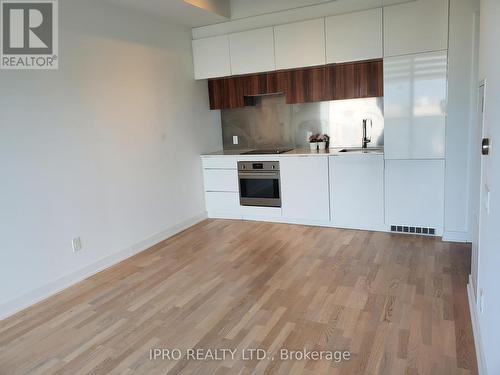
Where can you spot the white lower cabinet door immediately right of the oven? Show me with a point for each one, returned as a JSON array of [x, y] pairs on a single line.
[[304, 188]]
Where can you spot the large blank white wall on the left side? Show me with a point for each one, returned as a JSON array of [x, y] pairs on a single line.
[[106, 148]]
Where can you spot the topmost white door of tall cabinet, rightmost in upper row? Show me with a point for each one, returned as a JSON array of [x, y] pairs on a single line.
[[414, 27]]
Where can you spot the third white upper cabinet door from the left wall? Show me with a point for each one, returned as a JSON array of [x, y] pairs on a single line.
[[300, 44]]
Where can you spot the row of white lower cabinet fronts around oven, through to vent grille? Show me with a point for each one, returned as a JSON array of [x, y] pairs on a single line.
[[359, 191]]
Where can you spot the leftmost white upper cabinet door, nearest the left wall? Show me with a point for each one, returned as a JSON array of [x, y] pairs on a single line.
[[211, 57]]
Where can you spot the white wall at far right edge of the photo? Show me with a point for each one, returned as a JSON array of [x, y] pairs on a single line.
[[489, 253]]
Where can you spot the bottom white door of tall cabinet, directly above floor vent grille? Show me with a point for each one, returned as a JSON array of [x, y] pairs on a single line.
[[415, 193]]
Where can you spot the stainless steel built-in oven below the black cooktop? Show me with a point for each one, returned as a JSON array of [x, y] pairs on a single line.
[[259, 183]]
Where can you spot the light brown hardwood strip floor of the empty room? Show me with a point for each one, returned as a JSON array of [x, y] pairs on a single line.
[[397, 303]]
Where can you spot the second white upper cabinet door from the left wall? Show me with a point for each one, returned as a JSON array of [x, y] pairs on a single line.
[[252, 51]]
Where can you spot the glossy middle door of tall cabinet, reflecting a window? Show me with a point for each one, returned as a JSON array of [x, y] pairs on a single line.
[[415, 106]]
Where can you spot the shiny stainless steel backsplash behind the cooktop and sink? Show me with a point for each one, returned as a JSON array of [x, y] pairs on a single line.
[[273, 123]]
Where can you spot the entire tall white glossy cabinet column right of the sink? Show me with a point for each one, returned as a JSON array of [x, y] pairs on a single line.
[[415, 101]]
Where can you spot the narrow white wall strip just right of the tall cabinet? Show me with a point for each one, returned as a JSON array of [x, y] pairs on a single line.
[[462, 82]]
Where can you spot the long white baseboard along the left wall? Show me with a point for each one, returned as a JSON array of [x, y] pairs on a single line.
[[29, 299]]
